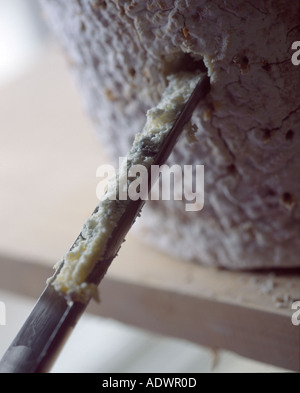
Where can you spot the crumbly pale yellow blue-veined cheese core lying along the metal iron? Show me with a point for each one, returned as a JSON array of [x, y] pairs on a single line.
[[90, 246]]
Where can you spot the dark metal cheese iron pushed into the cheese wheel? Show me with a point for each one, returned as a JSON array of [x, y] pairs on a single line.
[[43, 334]]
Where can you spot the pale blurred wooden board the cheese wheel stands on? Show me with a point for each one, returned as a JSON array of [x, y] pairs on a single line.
[[48, 160]]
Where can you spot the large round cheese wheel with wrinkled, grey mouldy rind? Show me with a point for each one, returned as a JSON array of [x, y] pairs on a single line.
[[248, 134]]
